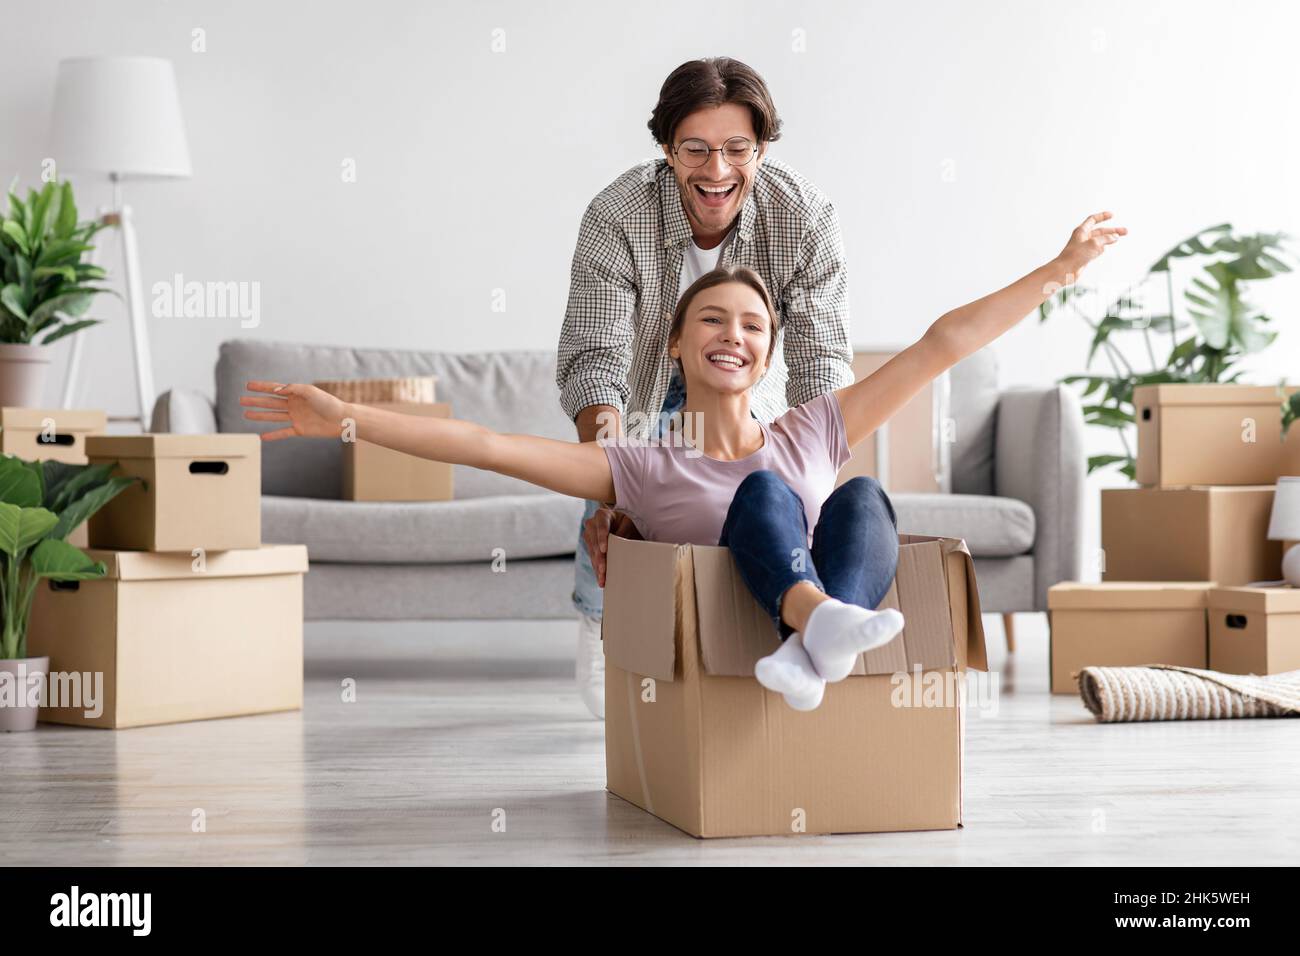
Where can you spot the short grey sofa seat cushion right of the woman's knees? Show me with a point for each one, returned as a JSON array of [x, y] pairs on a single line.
[[993, 527]]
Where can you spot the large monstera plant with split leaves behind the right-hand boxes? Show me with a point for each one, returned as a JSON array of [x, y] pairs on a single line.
[[1221, 328]]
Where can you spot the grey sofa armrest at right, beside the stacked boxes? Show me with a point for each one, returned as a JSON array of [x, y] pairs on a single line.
[[1039, 460]]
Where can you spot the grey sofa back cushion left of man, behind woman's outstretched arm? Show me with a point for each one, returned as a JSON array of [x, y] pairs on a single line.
[[505, 391]]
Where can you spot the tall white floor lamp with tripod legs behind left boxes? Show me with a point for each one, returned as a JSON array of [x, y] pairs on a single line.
[[120, 116]]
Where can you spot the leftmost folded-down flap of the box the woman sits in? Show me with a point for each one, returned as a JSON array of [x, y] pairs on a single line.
[[640, 620]]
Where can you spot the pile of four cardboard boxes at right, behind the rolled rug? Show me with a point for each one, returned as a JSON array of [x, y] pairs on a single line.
[[1181, 548]]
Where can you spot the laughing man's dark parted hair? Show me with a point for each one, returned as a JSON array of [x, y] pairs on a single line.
[[712, 83]]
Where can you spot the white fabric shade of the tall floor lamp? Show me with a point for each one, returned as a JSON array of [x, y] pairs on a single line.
[[119, 115]]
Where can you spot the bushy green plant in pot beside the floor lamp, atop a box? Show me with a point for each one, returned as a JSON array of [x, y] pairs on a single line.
[[46, 285]]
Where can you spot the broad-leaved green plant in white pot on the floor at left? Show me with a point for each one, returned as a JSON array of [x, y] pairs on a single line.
[[41, 505]]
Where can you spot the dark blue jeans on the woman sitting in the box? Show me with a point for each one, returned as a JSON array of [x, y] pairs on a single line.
[[855, 546]]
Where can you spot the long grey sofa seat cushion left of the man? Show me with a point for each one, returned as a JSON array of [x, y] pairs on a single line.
[[439, 533]]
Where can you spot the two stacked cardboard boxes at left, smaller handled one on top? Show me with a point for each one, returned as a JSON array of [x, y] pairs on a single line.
[[196, 618]]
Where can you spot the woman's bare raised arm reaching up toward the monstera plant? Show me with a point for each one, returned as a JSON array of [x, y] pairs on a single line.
[[872, 403]]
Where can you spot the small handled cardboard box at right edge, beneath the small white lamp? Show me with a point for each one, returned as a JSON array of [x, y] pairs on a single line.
[[1255, 630]]
